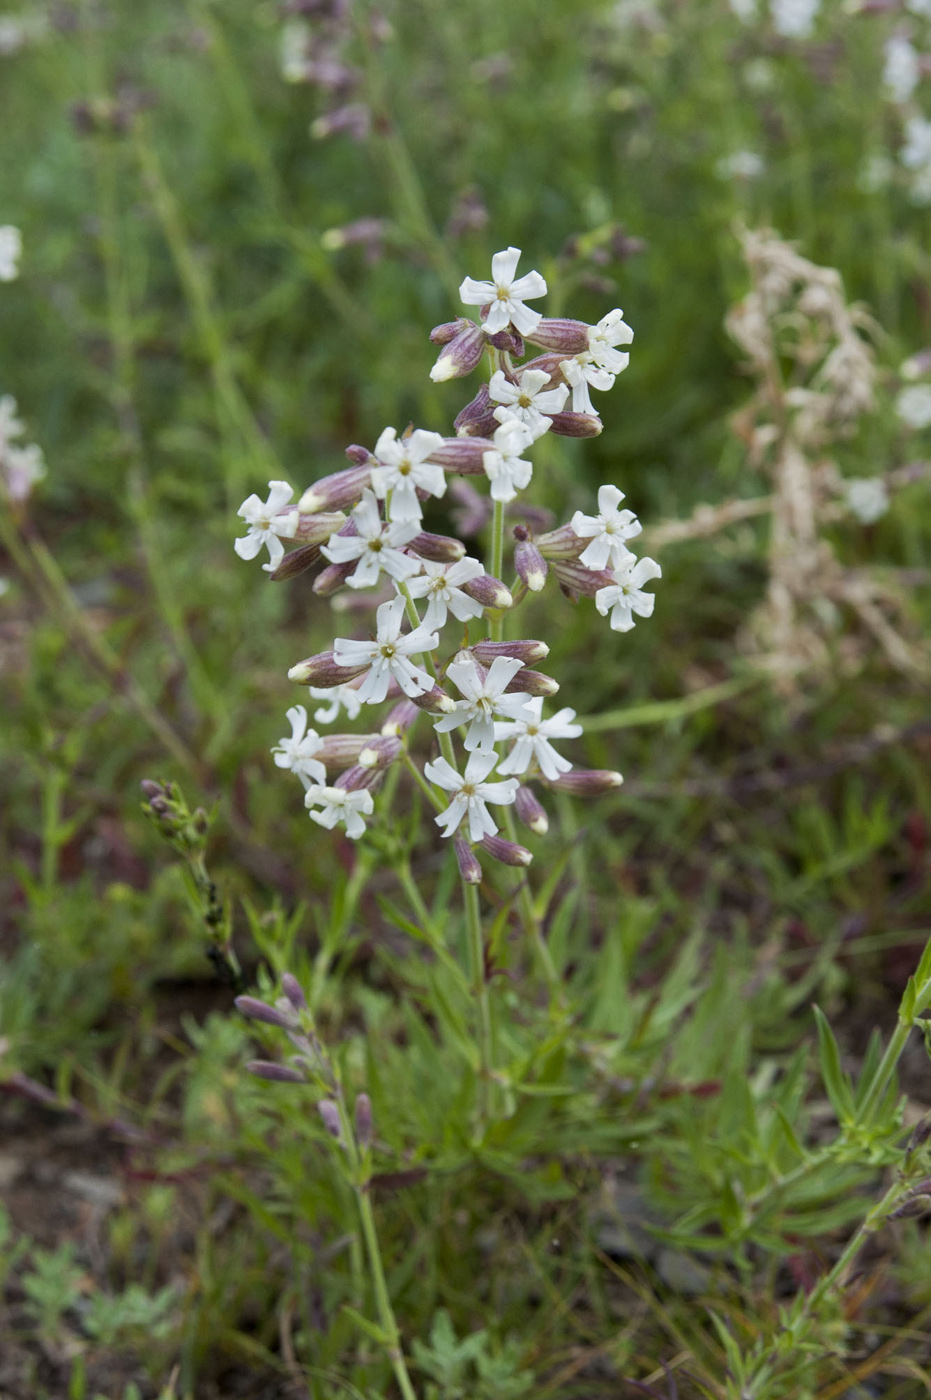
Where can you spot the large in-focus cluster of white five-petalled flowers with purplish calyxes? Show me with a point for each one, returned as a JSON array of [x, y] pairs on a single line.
[[363, 530]]
